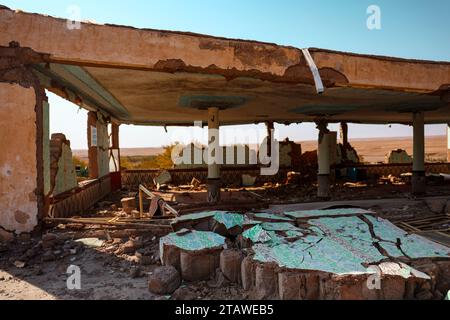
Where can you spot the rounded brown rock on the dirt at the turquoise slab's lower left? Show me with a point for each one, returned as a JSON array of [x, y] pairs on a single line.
[[164, 280]]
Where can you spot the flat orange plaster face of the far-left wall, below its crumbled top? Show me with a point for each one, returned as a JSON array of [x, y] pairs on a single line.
[[18, 173]]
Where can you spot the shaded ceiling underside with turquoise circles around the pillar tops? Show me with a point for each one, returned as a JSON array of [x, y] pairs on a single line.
[[180, 98]]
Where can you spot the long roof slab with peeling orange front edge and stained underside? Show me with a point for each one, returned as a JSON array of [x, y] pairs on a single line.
[[153, 77]]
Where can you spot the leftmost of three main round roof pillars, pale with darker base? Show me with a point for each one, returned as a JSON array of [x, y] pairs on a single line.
[[214, 181]]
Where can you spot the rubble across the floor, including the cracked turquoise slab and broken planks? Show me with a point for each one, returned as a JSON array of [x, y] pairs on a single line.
[[250, 254]]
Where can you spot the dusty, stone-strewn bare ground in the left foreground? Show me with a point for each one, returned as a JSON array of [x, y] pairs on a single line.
[[105, 274]]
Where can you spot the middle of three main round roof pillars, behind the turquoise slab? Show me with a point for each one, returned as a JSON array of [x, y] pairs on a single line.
[[324, 161]]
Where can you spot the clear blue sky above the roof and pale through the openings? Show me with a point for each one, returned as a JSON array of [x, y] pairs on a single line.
[[409, 28]]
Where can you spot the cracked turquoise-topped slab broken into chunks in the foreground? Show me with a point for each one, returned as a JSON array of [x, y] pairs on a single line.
[[318, 254]]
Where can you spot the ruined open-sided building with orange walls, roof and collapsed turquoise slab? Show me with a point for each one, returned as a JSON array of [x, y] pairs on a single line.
[[124, 75]]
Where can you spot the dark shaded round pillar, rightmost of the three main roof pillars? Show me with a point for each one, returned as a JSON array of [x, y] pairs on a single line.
[[418, 180]]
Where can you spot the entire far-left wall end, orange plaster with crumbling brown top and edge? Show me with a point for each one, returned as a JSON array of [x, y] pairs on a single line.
[[22, 199]]
